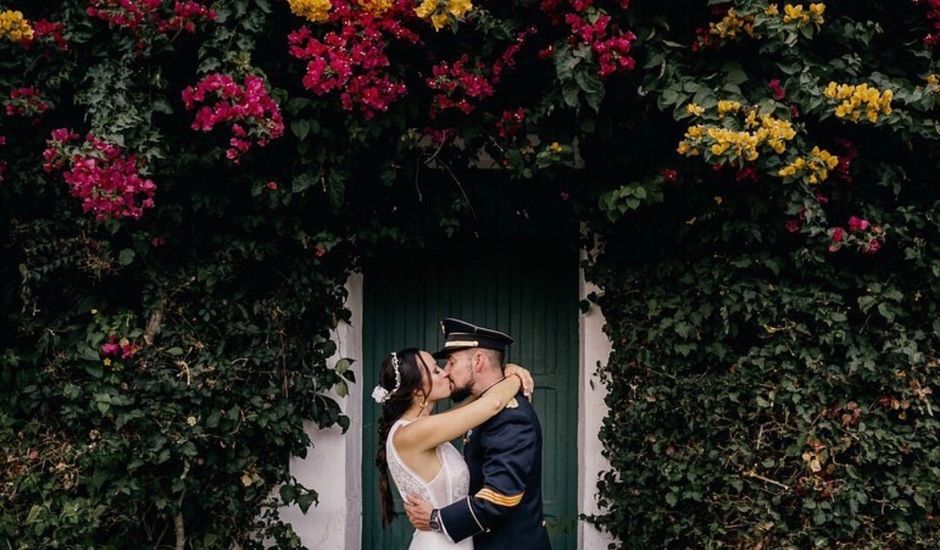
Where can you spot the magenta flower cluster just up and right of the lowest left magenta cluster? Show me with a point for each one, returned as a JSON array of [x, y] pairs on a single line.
[[252, 115]]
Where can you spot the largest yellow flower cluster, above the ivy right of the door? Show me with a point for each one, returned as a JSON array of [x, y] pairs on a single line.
[[760, 130]]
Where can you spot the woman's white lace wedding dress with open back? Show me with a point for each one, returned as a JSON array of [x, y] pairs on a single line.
[[451, 484]]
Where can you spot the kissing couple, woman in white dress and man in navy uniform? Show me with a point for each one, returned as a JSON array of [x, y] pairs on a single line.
[[491, 496]]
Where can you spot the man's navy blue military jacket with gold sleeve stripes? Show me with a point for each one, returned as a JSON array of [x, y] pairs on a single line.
[[504, 507]]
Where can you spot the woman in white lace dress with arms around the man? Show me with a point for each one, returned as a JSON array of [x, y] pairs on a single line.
[[414, 444]]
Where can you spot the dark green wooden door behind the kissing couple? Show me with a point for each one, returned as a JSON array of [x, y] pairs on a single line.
[[534, 299]]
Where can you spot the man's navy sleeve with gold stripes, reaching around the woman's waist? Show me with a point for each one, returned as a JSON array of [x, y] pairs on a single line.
[[509, 443]]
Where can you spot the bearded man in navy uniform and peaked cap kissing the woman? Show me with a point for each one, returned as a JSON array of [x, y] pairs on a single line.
[[504, 455]]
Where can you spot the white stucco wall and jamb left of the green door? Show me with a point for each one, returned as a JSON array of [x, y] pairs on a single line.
[[332, 466]]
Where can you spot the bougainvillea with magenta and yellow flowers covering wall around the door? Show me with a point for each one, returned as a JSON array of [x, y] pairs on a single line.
[[184, 186]]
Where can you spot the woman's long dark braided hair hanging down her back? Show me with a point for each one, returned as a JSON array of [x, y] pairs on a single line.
[[395, 405]]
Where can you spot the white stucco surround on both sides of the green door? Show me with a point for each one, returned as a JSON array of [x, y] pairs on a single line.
[[333, 462]]
